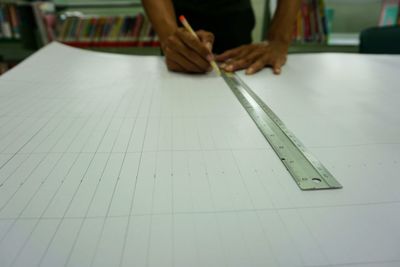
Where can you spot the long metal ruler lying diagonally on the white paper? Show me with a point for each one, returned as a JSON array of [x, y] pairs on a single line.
[[307, 171]]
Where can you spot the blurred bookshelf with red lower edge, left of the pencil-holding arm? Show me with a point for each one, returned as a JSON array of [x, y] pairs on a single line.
[[116, 26]]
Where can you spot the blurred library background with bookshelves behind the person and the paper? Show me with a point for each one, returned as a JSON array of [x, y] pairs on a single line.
[[348, 26]]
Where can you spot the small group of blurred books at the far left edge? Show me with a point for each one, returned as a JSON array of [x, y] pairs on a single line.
[[9, 22]]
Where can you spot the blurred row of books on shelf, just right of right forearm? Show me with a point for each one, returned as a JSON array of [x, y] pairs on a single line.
[[311, 23]]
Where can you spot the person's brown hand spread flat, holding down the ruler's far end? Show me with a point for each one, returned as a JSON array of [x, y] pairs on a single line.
[[254, 57]]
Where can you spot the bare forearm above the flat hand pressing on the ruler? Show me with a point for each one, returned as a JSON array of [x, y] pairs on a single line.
[[282, 25]]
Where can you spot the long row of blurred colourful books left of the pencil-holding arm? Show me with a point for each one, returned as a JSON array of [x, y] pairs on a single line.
[[85, 30]]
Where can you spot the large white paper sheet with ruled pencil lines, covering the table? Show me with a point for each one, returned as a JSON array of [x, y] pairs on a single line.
[[109, 160]]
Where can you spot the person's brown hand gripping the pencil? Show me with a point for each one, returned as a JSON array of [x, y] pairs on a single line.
[[186, 53]]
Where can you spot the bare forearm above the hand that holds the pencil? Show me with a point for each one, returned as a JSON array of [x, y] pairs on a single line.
[[162, 16]]
